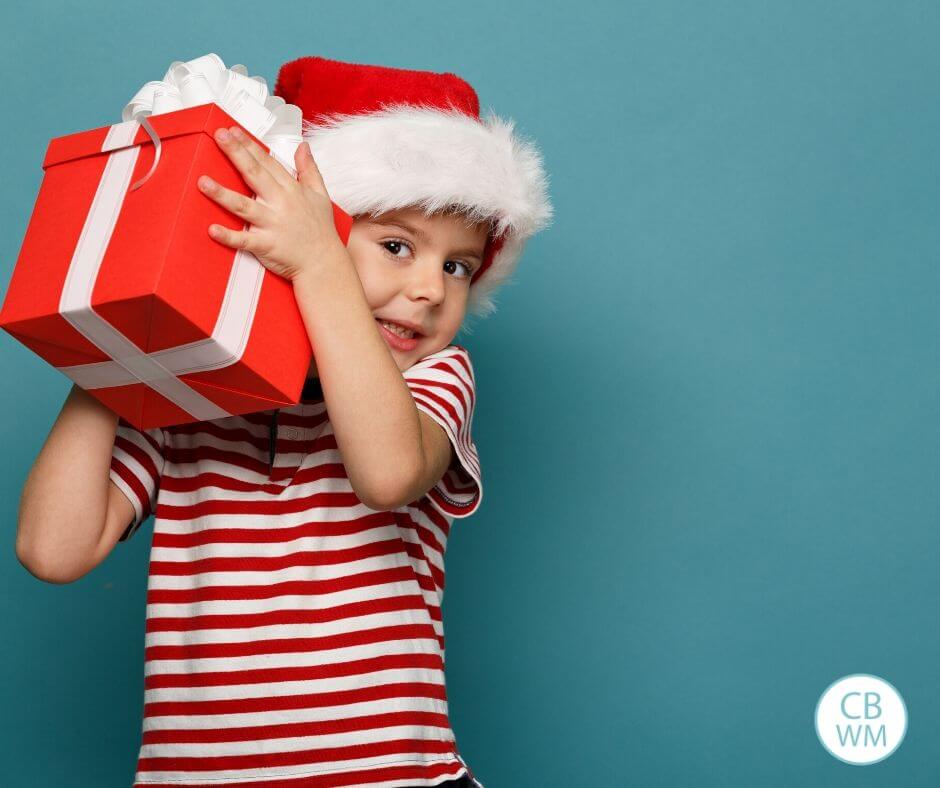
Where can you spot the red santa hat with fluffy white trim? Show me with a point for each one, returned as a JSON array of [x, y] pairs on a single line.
[[389, 138]]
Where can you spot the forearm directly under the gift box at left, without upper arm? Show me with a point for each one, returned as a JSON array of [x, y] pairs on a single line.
[[65, 497]]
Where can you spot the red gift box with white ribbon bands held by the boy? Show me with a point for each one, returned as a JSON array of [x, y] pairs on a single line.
[[124, 291]]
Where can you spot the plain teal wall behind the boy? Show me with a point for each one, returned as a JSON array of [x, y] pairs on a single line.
[[707, 406]]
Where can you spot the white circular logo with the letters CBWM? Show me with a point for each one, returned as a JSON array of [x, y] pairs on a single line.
[[861, 719]]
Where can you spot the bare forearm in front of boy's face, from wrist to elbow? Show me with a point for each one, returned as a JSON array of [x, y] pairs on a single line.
[[373, 414]]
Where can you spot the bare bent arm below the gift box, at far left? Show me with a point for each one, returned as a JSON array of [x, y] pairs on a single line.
[[71, 514]]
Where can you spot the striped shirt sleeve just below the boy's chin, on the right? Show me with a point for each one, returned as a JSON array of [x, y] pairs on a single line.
[[443, 386]]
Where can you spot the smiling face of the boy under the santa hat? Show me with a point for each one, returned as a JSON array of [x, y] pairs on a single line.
[[416, 270]]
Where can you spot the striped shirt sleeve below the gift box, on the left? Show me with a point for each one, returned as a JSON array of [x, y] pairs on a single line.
[[136, 466]]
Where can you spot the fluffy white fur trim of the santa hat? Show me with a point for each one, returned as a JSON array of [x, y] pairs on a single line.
[[409, 156]]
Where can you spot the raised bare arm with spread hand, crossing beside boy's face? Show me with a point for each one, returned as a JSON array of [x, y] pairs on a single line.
[[390, 453]]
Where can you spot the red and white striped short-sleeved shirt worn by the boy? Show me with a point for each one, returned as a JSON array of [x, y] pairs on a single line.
[[294, 636]]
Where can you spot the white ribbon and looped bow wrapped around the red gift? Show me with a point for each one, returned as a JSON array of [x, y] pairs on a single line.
[[275, 123]]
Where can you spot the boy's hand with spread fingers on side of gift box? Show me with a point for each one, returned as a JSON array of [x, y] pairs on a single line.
[[290, 221]]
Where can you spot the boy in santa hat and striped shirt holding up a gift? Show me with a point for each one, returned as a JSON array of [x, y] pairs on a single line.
[[294, 630]]
